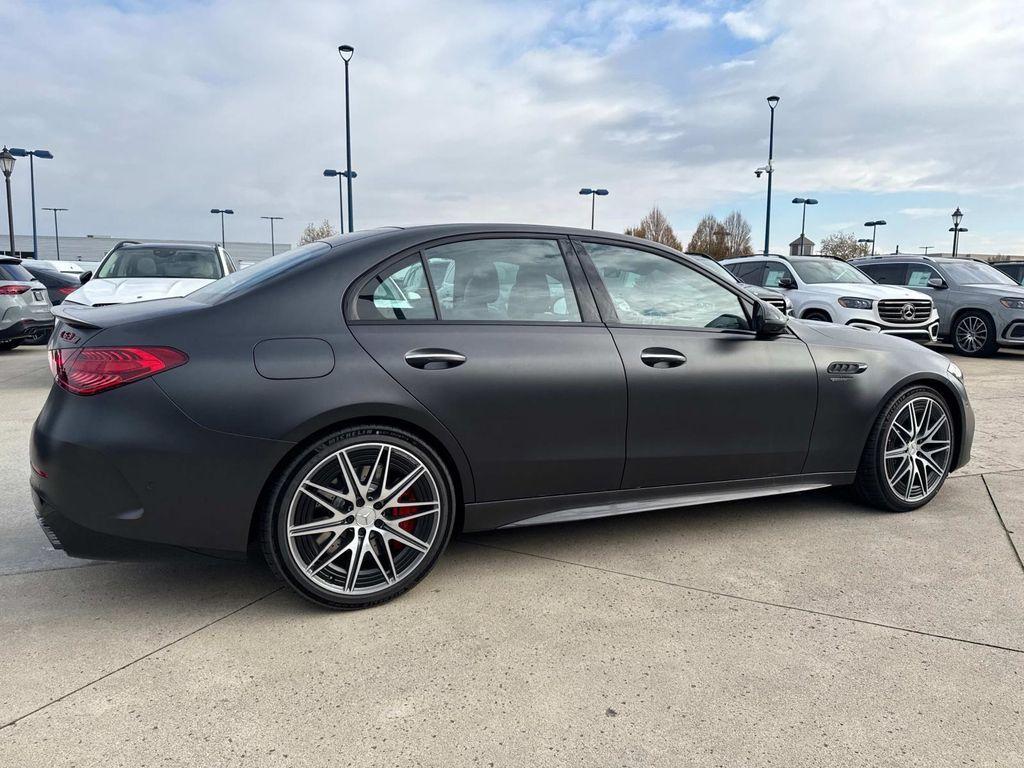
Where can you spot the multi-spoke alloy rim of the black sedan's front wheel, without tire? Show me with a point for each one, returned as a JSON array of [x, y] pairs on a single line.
[[918, 450]]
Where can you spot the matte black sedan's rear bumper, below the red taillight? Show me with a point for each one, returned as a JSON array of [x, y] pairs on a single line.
[[143, 479]]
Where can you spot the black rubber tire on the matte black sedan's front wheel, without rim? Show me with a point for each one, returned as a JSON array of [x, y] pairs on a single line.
[[872, 484]]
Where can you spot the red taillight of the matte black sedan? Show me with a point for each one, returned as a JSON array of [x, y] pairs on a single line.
[[93, 370]]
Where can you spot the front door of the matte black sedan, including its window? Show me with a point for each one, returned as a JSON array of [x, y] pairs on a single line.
[[708, 401]]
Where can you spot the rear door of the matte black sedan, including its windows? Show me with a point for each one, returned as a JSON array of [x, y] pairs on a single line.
[[497, 340]]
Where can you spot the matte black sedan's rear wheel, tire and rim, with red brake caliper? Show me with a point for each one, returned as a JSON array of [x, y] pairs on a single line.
[[361, 519]]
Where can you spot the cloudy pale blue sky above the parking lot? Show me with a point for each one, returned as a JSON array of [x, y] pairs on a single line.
[[473, 111]]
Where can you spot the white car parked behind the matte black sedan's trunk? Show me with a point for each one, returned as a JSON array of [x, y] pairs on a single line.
[[143, 272]]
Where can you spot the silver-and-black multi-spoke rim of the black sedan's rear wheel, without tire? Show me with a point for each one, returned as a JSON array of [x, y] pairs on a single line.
[[364, 519]]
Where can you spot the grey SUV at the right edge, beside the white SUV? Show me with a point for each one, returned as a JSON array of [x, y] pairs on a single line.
[[980, 308]]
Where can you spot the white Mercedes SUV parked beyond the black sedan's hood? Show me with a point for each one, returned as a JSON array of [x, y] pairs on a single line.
[[833, 291]]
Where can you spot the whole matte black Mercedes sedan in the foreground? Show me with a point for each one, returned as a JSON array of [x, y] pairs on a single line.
[[349, 405]]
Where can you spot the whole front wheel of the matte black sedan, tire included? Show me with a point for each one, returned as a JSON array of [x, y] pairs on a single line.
[[909, 453]]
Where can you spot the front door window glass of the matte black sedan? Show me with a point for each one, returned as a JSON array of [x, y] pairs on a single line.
[[652, 290]]
